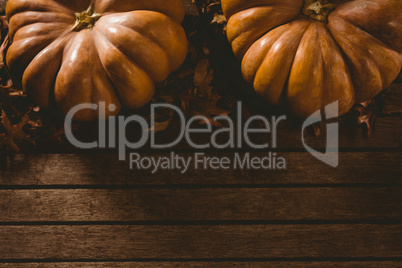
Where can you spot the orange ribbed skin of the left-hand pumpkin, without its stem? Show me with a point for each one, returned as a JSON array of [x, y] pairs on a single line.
[[133, 45]]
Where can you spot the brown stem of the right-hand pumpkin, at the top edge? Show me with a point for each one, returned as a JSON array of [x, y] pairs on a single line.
[[318, 10]]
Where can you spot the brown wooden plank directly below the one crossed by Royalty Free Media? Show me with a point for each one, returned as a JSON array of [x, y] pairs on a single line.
[[278, 204]]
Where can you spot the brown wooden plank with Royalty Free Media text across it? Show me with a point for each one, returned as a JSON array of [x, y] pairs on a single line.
[[105, 169]]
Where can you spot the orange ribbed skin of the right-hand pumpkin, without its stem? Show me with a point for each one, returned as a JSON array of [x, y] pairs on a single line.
[[305, 64]]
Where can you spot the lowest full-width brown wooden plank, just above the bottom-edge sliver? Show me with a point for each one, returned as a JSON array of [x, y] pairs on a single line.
[[188, 242]]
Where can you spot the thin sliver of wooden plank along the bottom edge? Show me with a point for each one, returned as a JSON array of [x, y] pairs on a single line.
[[209, 264]]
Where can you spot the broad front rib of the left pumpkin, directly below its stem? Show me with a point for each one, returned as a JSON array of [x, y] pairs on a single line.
[[75, 86]]
